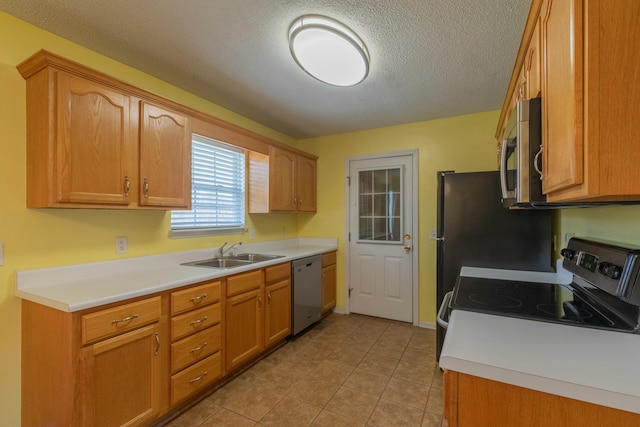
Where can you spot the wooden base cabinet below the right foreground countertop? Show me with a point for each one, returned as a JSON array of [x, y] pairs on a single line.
[[479, 402]]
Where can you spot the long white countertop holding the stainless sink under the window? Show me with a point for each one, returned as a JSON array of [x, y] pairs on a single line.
[[78, 287]]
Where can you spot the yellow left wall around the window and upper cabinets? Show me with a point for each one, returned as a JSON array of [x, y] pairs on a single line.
[[35, 238]]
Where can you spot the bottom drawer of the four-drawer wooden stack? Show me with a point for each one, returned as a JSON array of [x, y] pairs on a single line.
[[195, 378]]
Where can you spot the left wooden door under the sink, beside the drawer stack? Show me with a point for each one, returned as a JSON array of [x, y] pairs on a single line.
[[244, 327]]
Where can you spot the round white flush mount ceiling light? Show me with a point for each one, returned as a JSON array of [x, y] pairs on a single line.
[[328, 50]]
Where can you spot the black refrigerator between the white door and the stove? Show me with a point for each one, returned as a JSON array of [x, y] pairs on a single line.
[[476, 230]]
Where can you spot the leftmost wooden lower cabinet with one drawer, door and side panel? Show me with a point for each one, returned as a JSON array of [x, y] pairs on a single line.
[[114, 381]]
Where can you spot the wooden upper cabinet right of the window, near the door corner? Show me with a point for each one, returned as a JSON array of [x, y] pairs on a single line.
[[283, 181]]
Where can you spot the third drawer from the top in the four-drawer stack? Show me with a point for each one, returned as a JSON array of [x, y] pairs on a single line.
[[194, 348]]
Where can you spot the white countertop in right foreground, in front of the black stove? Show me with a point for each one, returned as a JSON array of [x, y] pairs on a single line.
[[592, 365]]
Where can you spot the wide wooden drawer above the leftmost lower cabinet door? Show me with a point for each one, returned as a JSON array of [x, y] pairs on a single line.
[[123, 318]]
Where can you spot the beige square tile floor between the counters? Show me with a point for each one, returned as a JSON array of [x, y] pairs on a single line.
[[349, 370]]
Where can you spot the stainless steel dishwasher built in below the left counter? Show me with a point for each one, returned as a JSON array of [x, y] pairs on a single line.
[[306, 292]]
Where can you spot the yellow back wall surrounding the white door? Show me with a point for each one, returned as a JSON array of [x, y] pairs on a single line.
[[463, 144]]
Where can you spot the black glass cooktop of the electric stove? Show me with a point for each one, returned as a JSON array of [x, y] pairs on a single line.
[[538, 301]]
